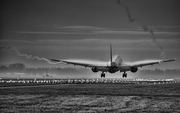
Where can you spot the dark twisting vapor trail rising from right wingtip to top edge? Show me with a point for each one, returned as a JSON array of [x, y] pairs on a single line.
[[144, 27]]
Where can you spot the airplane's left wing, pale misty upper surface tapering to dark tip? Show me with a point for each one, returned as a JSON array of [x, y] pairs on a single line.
[[85, 63]]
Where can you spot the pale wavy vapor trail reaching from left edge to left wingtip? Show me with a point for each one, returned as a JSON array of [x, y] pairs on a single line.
[[26, 55]]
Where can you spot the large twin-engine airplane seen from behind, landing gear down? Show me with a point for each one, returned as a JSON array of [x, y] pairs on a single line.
[[114, 65]]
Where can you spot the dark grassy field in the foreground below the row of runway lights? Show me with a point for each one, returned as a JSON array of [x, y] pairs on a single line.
[[91, 98]]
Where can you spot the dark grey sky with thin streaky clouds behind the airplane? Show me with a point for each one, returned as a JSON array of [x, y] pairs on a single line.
[[83, 29]]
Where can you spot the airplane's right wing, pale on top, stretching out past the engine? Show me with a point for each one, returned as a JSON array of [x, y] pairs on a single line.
[[147, 62]]
